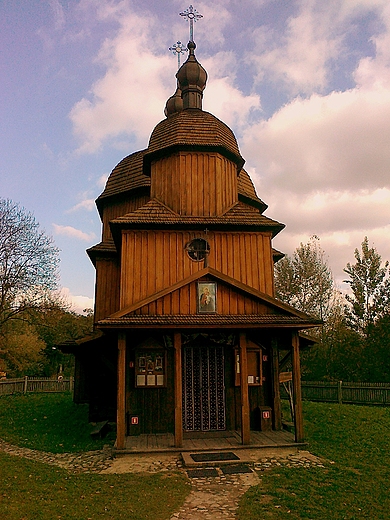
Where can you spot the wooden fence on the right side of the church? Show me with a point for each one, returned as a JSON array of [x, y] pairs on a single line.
[[342, 392]]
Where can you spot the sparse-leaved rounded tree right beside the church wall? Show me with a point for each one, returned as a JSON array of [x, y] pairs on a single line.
[[305, 280]]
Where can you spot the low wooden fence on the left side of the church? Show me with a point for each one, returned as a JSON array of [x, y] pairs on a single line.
[[26, 385]]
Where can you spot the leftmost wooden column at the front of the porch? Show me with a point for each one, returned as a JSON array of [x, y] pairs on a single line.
[[121, 393]]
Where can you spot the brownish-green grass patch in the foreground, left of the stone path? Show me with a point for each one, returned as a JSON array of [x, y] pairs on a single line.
[[33, 491]]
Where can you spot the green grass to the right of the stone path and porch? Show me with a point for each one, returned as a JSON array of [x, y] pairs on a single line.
[[355, 482]]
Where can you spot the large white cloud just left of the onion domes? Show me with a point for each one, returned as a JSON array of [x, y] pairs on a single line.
[[130, 98]]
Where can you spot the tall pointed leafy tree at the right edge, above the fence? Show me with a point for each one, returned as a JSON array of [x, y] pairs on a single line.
[[370, 285]]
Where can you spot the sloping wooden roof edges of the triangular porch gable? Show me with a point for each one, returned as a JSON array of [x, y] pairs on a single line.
[[236, 284]]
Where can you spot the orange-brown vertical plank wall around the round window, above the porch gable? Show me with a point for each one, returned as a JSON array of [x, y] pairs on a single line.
[[154, 260]]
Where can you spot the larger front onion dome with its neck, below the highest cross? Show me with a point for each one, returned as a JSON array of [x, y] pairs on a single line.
[[191, 78]]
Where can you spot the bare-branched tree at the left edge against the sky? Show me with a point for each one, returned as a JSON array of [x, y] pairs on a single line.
[[28, 264]]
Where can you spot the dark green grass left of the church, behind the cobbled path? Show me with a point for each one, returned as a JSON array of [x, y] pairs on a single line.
[[47, 422]]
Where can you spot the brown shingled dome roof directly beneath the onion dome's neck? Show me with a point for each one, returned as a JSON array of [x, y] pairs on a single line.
[[192, 129]]
